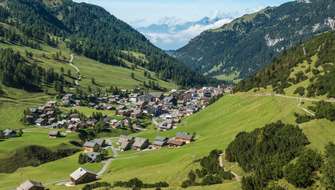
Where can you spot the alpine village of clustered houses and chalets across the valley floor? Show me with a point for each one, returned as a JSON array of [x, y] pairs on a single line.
[[163, 110]]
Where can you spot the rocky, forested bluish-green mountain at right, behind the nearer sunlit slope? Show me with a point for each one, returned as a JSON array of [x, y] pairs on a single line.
[[250, 42]]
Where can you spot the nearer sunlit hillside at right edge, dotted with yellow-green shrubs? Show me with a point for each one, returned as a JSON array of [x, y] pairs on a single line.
[[306, 70]]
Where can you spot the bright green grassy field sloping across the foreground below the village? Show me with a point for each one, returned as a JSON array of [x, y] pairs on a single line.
[[215, 128]]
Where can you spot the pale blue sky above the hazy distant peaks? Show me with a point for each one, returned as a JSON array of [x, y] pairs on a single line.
[[137, 12]]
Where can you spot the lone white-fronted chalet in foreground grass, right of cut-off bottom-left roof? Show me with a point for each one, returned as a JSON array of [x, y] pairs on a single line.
[[82, 175]]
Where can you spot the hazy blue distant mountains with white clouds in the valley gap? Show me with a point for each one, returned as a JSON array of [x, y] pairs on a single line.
[[171, 34]]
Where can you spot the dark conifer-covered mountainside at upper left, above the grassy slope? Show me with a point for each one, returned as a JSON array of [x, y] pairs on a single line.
[[91, 31]]
